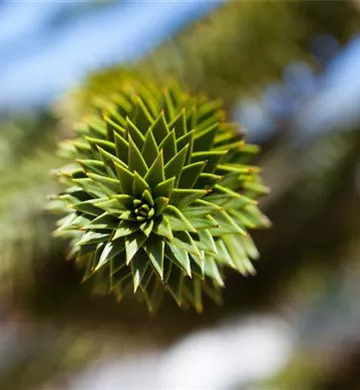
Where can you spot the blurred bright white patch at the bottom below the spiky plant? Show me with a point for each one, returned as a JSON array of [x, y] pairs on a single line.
[[240, 354]]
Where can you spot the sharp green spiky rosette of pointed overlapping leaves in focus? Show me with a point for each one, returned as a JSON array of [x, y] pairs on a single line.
[[161, 196]]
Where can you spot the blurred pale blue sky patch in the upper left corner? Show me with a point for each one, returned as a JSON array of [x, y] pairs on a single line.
[[48, 47]]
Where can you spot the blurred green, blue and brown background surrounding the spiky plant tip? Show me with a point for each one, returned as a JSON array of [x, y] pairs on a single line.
[[289, 73]]
